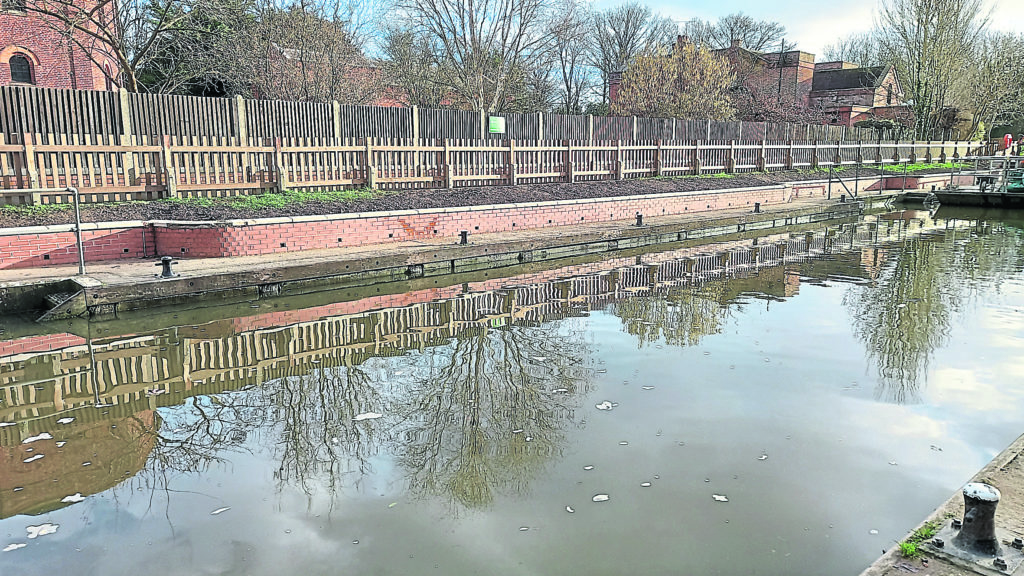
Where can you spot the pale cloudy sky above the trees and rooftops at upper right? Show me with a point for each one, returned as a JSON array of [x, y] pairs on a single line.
[[812, 24]]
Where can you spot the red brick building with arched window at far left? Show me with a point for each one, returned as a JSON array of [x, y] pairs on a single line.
[[33, 54]]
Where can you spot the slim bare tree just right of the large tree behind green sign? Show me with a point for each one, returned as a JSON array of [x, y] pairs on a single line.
[[569, 29]]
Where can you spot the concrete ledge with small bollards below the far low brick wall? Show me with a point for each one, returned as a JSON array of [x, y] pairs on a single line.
[[124, 285]]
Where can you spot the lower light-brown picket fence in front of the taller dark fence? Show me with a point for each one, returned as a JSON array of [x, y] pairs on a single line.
[[36, 171]]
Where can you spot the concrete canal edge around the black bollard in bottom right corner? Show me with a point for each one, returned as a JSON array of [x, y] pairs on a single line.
[[1006, 473]]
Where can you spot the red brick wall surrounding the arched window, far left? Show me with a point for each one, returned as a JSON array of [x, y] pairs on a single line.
[[55, 65]]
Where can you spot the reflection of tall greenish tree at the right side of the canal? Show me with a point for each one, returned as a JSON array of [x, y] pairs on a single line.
[[908, 314]]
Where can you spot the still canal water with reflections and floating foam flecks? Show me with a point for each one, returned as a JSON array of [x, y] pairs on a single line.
[[789, 404]]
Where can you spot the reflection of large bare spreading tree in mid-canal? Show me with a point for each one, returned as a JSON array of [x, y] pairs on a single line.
[[490, 410]]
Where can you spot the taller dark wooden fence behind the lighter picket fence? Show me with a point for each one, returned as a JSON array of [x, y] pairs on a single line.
[[99, 114]]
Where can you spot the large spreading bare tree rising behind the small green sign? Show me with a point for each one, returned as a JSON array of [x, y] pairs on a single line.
[[485, 46]]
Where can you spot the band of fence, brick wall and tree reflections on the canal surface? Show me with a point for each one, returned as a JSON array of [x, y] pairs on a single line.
[[477, 387]]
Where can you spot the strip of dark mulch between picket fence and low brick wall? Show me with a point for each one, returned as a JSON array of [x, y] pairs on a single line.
[[413, 199]]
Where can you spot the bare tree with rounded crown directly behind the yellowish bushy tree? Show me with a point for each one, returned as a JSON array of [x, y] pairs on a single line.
[[623, 33]]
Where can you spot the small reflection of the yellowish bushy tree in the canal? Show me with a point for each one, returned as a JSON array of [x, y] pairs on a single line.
[[682, 317]]
